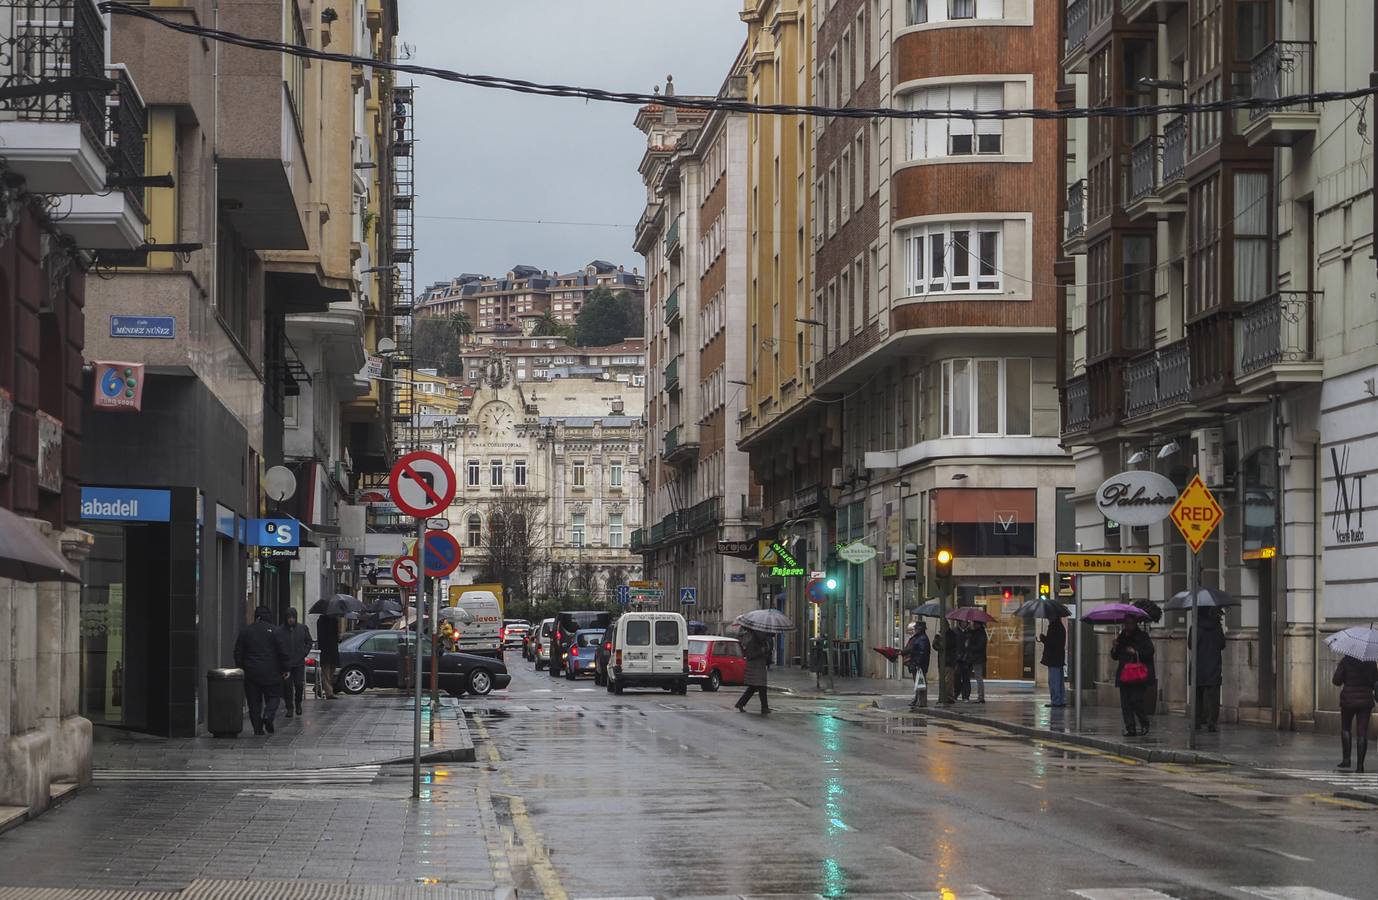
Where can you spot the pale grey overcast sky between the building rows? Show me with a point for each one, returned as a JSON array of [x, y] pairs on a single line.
[[497, 155]]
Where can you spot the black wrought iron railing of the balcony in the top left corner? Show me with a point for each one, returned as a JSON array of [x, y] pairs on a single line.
[[45, 42]]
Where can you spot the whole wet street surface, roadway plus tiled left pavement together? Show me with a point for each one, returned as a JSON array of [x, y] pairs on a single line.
[[582, 795]]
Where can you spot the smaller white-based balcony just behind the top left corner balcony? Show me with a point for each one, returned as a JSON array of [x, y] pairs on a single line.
[[115, 220]]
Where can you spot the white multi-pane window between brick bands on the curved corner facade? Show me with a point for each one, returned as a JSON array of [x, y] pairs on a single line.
[[953, 258]]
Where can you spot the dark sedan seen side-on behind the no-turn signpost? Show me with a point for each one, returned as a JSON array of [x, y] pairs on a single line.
[[369, 659]]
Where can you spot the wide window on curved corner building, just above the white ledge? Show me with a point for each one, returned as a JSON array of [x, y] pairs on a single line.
[[989, 396]]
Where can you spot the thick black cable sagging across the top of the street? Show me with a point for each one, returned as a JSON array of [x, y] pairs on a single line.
[[710, 104]]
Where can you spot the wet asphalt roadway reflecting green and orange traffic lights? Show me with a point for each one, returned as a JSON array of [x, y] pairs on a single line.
[[651, 795]]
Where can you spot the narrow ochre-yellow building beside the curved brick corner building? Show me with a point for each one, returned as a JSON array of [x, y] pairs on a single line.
[[782, 428]]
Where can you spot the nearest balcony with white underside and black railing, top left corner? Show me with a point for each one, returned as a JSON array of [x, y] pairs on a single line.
[[56, 137]]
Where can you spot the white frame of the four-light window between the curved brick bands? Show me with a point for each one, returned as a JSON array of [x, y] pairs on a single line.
[[917, 243]]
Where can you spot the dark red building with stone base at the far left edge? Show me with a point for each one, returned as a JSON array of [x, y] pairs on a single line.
[[72, 167]]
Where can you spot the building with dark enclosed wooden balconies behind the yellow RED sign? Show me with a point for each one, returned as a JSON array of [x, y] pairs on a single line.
[[1220, 320]]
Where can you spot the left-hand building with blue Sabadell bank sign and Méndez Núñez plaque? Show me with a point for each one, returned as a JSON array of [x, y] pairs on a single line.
[[265, 305]]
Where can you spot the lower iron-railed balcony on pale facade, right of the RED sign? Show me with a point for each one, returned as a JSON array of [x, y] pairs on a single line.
[[1275, 341]]
